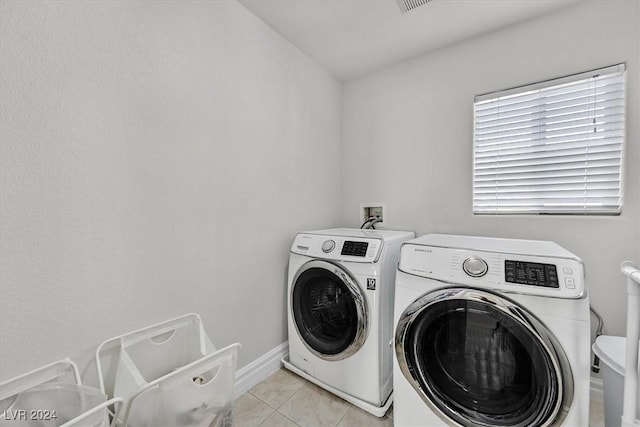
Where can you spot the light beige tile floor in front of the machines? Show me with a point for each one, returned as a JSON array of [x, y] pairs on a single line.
[[286, 400]]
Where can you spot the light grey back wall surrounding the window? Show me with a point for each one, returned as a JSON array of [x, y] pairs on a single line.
[[408, 130]]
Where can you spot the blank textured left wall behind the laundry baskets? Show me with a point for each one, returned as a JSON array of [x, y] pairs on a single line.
[[157, 158]]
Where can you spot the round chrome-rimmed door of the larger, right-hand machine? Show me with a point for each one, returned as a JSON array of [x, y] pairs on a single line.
[[479, 359]]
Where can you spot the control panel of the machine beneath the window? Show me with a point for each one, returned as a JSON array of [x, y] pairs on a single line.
[[530, 274]]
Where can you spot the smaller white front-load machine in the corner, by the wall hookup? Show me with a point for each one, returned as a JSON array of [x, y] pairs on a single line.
[[340, 310]]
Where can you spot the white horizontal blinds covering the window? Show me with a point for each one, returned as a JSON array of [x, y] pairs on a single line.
[[553, 147]]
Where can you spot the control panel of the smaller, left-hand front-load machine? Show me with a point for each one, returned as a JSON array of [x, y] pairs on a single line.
[[338, 248]]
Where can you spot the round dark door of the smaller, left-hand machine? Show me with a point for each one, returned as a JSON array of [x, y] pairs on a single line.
[[329, 310]]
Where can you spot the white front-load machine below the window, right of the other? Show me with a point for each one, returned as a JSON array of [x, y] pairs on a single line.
[[490, 332]]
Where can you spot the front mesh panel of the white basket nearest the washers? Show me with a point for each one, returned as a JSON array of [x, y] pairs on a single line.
[[197, 395]]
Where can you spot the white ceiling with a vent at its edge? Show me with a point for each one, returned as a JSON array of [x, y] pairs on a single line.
[[350, 38]]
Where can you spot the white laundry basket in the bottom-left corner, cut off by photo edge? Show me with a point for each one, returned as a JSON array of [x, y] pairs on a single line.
[[53, 396]]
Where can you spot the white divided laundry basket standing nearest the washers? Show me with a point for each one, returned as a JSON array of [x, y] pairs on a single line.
[[169, 374]]
